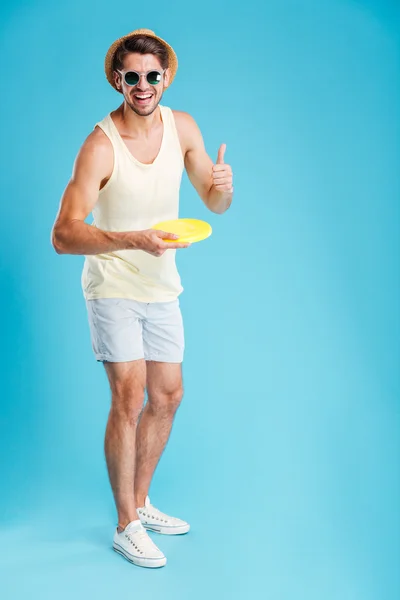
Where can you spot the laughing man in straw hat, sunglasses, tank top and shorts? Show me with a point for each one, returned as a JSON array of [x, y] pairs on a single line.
[[128, 173]]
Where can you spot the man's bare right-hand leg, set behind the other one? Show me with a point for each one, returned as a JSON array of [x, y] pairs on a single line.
[[165, 391]]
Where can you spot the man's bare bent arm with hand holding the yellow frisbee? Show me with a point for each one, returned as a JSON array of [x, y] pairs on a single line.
[[71, 235]]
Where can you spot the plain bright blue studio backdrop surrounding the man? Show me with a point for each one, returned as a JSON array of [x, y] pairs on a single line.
[[284, 455]]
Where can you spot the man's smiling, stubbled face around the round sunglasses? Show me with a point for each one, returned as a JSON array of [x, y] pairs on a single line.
[[142, 98]]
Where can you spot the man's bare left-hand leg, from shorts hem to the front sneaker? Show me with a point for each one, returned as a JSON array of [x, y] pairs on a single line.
[[127, 382]]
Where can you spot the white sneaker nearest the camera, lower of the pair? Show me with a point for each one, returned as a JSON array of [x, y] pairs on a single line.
[[135, 544]]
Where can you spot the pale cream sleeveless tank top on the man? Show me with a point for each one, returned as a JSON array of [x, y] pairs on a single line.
[[136, 197]]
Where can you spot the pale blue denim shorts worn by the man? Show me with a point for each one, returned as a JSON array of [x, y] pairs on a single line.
[[123, 329]]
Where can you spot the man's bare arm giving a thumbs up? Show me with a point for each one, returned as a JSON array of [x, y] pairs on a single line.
[[203, 174]]
